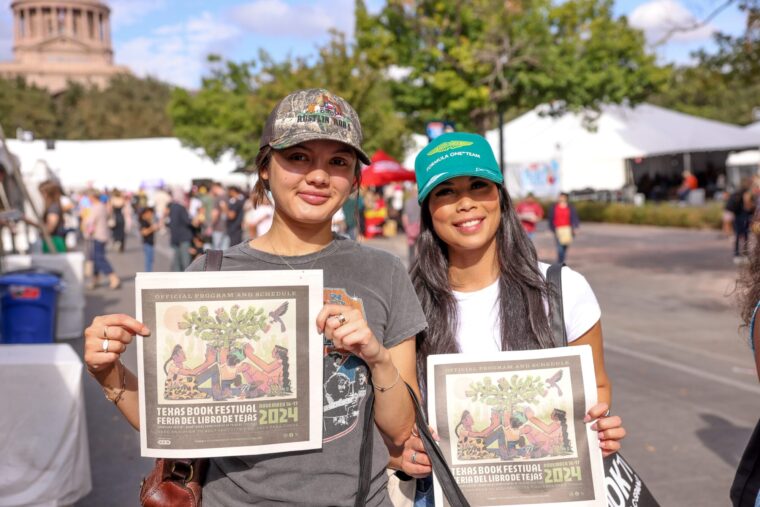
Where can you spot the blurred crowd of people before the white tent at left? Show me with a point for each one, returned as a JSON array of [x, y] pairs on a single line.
[[102, 222]]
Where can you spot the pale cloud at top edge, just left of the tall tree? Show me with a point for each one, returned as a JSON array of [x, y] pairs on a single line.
[[303, 20]]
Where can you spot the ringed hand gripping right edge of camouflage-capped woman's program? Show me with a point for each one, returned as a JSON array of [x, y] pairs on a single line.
[[346, 328]]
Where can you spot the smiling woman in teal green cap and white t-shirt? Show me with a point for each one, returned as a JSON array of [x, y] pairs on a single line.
[[479, 280]]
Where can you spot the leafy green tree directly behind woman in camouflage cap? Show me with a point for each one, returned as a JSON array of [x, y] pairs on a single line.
[[228, 113]]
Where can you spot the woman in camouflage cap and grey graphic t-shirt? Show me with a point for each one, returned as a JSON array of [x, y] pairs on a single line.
[[309, 163]]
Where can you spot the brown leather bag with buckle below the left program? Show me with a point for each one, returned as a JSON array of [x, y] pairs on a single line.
[[174, 483]]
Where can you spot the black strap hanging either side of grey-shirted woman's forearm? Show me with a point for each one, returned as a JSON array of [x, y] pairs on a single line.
[[442, 472]]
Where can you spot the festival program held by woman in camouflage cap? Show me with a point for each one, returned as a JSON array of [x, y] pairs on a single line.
[[233, 365]]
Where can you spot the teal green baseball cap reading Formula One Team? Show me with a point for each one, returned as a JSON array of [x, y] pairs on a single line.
[[451, 155]]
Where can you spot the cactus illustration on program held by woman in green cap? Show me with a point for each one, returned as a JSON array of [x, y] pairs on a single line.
[[506, 394]]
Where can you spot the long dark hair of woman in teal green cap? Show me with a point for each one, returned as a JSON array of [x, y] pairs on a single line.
[[522, 289]]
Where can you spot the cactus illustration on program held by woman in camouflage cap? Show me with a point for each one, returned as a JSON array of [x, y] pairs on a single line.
[[223, 329]]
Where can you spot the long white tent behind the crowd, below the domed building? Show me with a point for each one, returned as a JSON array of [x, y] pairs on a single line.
[[124, 164]]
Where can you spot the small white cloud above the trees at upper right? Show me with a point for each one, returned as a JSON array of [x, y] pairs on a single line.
[[659, 18]]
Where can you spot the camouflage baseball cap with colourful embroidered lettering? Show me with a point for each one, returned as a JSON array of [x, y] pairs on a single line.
[[314, 114]]
